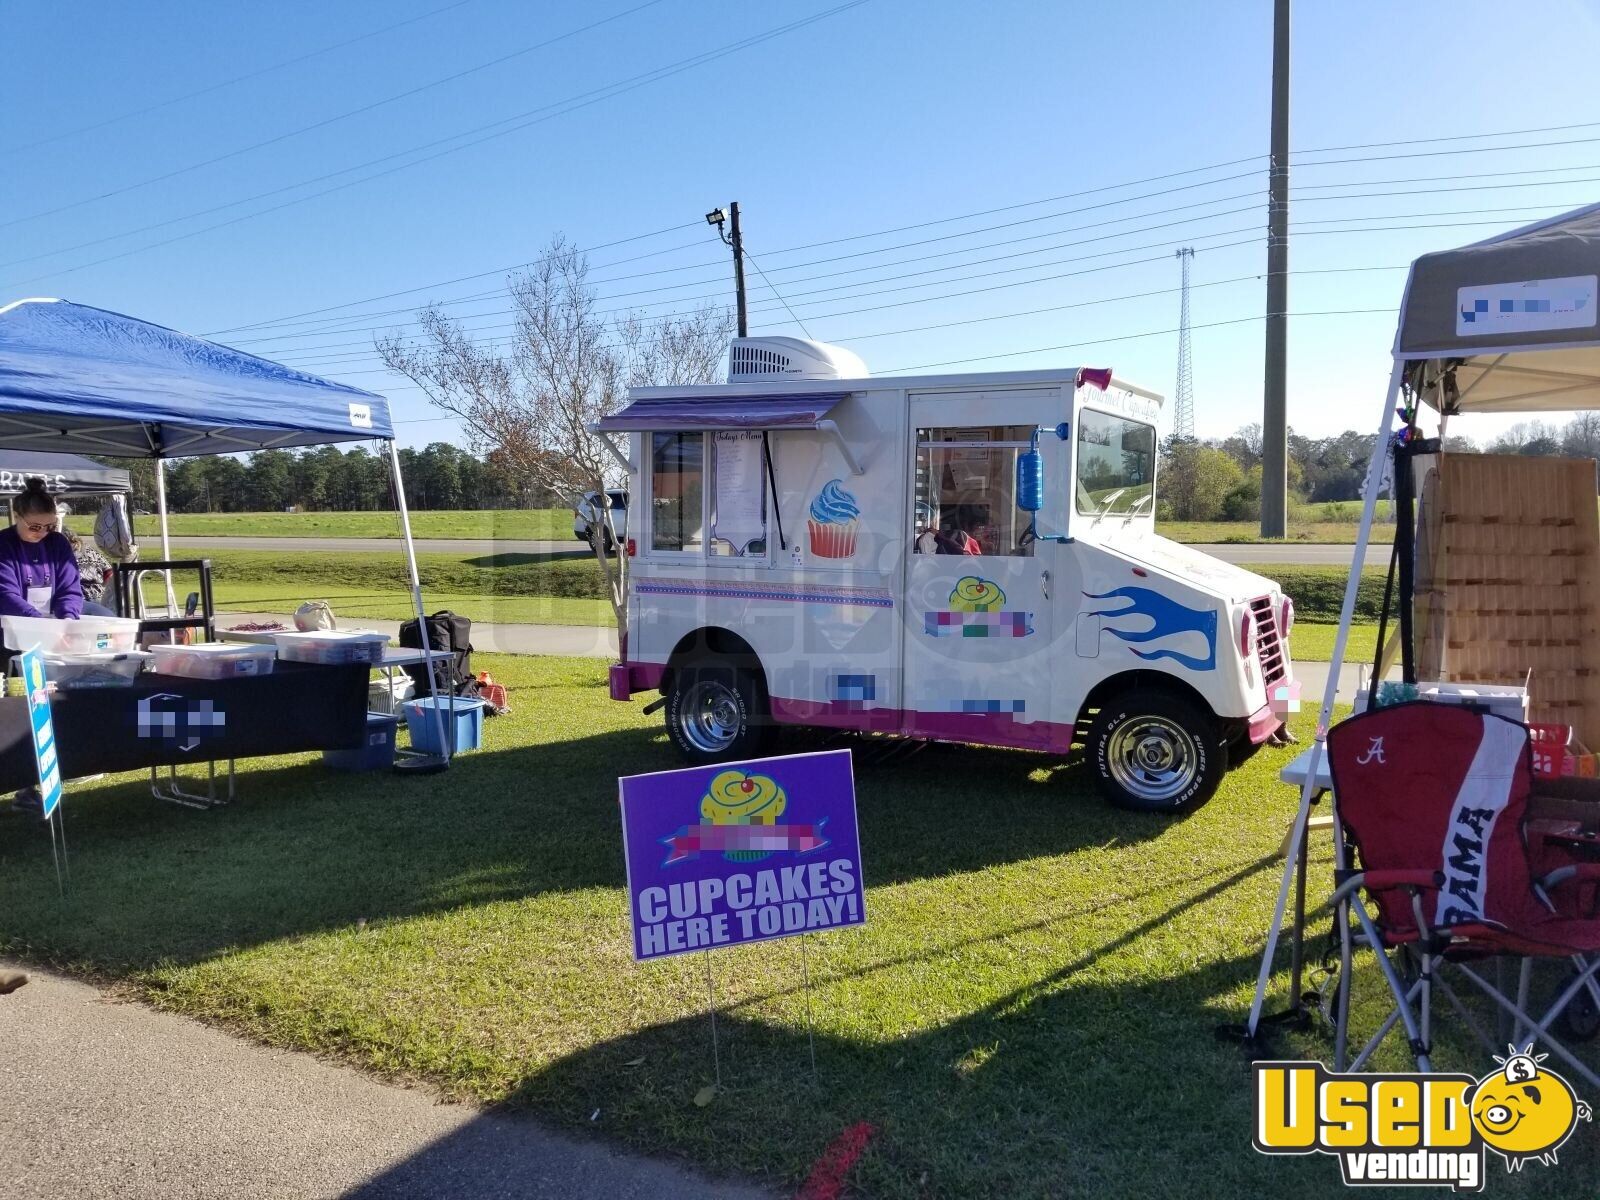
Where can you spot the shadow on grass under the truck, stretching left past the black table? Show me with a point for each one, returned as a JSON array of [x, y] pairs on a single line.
[[308, 850]]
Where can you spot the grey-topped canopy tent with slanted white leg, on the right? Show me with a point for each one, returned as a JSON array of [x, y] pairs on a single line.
[[1505, 326]]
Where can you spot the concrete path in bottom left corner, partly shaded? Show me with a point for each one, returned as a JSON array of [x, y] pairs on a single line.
[[116, 1100]]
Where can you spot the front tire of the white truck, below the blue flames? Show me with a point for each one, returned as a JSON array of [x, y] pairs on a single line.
[[1156, 753]]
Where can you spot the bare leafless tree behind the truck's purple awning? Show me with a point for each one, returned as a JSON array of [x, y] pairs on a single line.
[[535, 402]]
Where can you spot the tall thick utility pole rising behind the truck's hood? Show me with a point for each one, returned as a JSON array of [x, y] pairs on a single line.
[[1274, 415]]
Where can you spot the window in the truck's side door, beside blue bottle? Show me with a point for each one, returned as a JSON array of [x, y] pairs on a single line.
[[967, 492]]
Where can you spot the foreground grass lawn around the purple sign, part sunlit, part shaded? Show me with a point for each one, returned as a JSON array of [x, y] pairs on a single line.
[[1028, 1012]]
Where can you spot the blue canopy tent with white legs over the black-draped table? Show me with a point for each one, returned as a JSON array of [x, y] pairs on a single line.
[[84, 380]]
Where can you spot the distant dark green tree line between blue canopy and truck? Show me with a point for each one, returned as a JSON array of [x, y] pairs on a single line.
[[329, 479]]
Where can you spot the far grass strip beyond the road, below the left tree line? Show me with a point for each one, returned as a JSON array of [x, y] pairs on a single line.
[[484, 524]]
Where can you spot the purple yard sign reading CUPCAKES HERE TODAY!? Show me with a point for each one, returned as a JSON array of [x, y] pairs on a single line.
[[742, 854]]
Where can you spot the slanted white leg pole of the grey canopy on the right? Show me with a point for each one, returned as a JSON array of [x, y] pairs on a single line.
[[1314, 759]]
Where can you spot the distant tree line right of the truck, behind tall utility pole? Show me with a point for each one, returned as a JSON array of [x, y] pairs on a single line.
[[1220, 479]]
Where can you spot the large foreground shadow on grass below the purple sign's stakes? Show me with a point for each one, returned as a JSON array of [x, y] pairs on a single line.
[[1070, 1086]]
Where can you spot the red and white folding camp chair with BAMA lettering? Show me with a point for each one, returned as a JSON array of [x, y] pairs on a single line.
[[1434, 799]]
